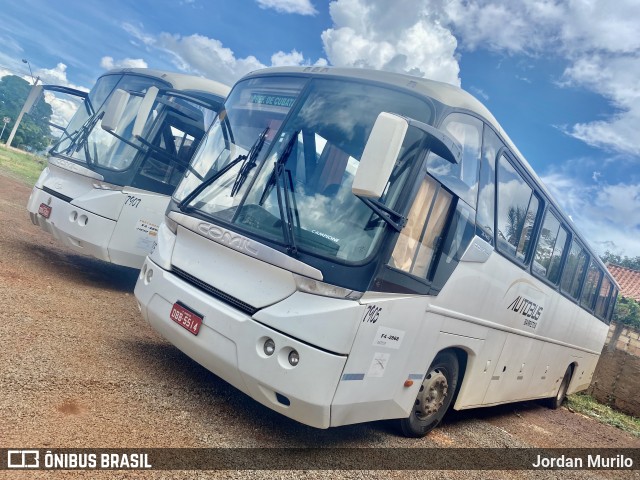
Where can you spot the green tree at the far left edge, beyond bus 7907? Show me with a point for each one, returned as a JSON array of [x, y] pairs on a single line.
[[34, 132]]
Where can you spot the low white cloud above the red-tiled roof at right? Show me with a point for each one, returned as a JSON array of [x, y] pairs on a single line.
[[607, 215]]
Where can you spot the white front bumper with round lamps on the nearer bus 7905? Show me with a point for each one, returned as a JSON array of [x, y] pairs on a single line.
[[231, 344]]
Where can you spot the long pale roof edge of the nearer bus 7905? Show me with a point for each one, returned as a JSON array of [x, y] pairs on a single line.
[[444, 93]]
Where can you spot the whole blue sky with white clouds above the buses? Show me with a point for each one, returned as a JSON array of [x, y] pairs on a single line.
[[561, 77]]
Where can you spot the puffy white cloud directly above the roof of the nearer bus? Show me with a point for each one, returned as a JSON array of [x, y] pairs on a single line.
[[408, 39]]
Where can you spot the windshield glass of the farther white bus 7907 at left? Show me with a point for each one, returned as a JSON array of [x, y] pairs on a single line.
[[84, 141]]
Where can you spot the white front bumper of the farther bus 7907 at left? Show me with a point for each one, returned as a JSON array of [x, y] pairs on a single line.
[[83, 231]]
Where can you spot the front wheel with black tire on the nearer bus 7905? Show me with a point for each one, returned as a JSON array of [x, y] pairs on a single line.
[[434, 398]]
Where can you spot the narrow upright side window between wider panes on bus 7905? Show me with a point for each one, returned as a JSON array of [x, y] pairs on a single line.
[[485, 216]]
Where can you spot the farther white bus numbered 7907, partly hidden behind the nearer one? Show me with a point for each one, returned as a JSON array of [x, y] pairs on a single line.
[[108, 180]]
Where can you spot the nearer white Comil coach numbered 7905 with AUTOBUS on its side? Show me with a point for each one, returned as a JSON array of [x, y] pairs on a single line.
[[381, 250]]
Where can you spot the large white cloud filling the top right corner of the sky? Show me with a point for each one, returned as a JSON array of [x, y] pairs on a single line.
[[598, 40]]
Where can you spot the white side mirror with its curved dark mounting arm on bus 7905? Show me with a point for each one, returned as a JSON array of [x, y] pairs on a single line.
[[383, 148]]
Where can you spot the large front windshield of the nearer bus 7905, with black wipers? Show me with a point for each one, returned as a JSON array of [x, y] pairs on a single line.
[[281, 160]]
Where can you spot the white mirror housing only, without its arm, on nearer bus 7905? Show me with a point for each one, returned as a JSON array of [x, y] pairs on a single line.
[[379, 155]]
